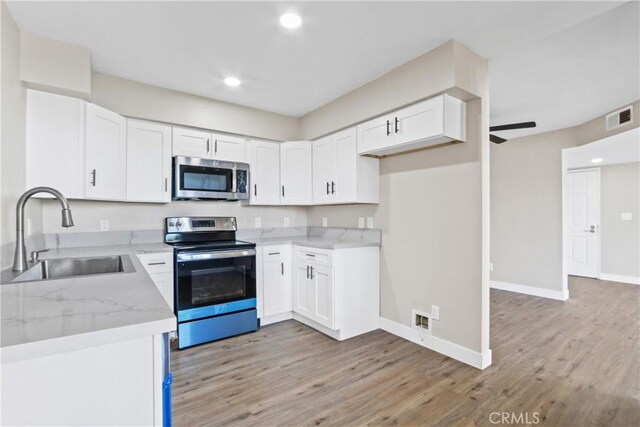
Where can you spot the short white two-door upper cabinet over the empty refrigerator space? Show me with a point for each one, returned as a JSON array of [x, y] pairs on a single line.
[[433, 122]]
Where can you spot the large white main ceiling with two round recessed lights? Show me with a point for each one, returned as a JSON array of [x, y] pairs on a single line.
[[558, 63]]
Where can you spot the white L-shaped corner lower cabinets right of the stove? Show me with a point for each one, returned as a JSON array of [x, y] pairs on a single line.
[[335, 291]]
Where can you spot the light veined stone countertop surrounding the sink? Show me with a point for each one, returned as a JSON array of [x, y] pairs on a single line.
[[51, 316]]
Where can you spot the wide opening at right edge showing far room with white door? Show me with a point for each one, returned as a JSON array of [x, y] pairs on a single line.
[[601, 209]]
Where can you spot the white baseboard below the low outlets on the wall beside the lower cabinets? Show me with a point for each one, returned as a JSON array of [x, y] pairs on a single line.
[[455, 351]]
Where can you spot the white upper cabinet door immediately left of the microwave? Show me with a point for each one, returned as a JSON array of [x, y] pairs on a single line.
[[148, 162]]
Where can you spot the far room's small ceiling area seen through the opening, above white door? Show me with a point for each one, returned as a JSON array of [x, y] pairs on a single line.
[[621, 148]]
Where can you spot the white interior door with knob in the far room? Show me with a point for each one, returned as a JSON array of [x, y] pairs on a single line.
[[583, 200]]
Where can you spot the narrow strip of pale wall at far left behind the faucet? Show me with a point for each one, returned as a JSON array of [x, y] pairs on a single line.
[[13, 134]]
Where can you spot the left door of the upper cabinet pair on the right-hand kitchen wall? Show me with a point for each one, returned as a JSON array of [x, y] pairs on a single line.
[[324, 168]]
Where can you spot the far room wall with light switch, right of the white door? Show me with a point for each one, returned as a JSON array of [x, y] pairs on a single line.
[[620, 240]]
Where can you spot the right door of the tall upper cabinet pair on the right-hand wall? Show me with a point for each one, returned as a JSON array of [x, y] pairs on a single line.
[[344, 181]]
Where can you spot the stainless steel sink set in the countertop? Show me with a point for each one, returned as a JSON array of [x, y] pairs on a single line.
[[74, 267]]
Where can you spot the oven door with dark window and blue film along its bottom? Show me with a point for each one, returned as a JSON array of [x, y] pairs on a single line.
[[214, 282]]
